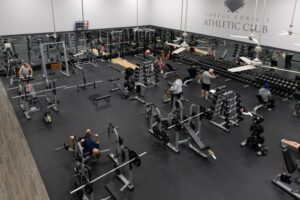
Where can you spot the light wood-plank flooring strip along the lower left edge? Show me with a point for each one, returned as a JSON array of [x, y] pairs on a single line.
[[20, 178]]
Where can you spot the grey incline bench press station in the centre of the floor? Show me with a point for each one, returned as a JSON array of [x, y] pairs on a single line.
[[190, 126]]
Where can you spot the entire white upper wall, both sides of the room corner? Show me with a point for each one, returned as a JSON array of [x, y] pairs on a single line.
[[34, 16]]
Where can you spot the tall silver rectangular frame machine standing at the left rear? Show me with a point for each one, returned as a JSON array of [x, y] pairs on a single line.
[[60, 48]]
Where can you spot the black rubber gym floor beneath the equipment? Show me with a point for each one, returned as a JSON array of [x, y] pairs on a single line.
[[238, 173]]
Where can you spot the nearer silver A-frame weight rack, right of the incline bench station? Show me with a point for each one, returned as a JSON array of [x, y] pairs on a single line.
[[225, 111]]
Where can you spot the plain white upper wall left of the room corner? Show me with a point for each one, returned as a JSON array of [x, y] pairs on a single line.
[[35, 16]]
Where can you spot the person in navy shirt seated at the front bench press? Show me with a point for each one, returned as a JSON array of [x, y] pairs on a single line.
[[89, 145]]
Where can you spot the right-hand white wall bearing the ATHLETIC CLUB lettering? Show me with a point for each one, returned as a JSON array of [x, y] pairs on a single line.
[[278, 12]]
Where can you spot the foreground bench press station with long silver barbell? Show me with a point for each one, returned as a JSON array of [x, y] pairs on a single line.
[[121, 156]]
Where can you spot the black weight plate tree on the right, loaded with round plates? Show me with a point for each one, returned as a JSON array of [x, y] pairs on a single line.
[[256, 140]]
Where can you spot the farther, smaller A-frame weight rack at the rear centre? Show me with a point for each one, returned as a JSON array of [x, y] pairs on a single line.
[[146, 74]]
